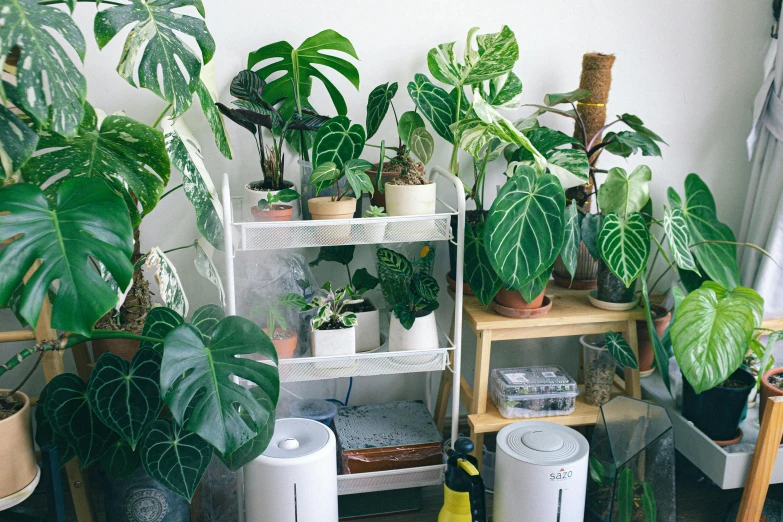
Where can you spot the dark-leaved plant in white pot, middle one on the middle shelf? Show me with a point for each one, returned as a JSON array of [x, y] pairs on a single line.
[[367, 328]]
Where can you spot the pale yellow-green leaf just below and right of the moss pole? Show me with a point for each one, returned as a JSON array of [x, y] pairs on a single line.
[[625, 193]]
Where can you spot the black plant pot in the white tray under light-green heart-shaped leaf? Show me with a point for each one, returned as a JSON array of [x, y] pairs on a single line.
[[717, 412]]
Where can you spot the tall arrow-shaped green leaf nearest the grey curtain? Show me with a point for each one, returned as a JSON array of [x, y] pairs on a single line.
[[718, 260]]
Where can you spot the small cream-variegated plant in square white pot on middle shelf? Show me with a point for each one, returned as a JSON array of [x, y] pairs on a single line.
[[333, 326]]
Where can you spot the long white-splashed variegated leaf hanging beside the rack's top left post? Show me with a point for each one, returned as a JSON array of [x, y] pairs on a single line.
[[186, 156]]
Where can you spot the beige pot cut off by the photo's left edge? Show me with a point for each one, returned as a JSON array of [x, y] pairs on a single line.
[[17, 456]]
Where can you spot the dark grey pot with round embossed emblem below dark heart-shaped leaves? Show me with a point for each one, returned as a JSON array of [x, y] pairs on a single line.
[[139, 498]]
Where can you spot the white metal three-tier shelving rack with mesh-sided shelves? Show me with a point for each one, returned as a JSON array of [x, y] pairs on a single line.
[[246, 236]]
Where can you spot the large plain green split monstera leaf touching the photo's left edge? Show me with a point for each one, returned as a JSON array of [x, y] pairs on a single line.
[[85, 221]]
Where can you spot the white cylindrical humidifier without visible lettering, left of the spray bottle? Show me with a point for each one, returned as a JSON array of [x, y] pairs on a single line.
[[295, 479]]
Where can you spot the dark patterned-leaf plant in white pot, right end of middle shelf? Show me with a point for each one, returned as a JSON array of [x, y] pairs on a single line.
[[413, 325]]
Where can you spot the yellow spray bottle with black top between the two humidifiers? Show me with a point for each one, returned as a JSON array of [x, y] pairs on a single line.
[[463, 492]]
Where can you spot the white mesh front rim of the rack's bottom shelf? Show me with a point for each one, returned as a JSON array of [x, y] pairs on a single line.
[[386, 480]]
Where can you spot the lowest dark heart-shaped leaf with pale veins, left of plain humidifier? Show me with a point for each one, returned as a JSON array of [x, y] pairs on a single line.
[[175, 457]]
